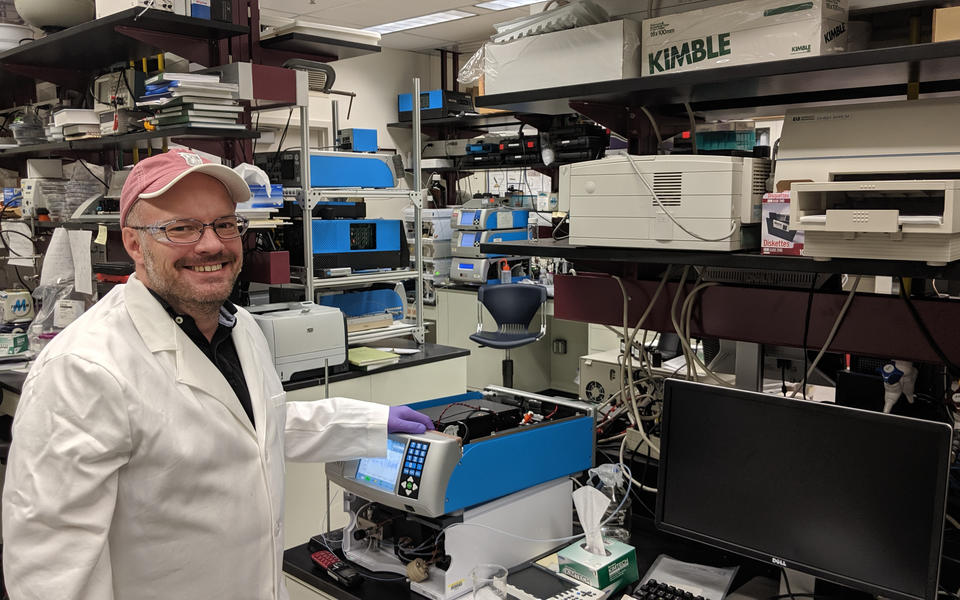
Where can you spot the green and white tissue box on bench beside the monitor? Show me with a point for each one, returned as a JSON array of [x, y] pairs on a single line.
[[616, 570]]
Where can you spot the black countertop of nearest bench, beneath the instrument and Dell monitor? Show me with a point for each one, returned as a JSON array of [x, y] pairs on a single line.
[[648, 542]]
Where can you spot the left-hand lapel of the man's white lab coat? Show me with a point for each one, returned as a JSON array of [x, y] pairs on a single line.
[[194, 369]]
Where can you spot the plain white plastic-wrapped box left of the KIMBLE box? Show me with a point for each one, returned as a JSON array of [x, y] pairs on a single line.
[[602, 52]]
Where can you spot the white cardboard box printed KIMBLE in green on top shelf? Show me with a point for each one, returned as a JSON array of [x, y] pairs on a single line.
[[742, 33]]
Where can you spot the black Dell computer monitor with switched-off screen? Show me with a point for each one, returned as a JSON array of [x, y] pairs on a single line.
[[847, 495]]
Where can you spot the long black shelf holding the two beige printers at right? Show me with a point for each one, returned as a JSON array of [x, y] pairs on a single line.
[[734, 260]]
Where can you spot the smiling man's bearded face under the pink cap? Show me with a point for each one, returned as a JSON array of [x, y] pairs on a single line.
[[199, 275]]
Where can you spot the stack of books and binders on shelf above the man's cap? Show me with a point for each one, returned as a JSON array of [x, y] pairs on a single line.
[[192, 99]]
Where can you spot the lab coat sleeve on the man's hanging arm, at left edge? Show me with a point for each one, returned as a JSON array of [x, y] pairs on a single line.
[[71, 435]]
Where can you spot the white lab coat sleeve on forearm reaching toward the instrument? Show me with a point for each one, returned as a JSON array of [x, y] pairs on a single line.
[[335, 429]]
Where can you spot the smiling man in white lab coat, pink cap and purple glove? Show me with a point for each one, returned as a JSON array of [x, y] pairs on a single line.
[[150, 438]]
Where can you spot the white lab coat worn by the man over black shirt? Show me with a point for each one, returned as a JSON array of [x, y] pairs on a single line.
[[135, 473]]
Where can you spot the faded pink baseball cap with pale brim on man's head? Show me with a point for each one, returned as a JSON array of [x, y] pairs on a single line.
[[154, 176]]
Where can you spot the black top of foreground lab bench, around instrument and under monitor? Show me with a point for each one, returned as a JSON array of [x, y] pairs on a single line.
[[306, 582]]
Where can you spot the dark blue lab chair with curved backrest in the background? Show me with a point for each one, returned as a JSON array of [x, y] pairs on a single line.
[[513, 306]]
